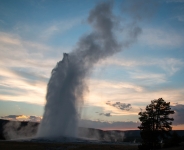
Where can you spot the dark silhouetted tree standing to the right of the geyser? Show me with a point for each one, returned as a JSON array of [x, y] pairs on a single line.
[[155, 124]]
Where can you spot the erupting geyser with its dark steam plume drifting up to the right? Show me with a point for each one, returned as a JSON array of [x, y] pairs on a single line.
[[67, 83]]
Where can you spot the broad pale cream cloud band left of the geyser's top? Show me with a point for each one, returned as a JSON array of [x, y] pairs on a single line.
[[25, 55]]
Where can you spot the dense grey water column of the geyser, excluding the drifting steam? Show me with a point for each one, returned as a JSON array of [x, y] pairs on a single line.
[[60, 112]]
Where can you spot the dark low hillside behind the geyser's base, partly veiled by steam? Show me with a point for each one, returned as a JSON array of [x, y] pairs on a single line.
[[23, 129]]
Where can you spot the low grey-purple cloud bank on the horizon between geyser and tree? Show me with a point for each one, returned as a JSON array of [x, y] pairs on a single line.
[[108, 125]]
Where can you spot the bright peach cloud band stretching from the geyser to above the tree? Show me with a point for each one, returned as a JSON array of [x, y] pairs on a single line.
[[138, 96]]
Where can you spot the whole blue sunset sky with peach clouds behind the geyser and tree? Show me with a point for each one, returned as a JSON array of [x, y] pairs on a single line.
[[34, 35]]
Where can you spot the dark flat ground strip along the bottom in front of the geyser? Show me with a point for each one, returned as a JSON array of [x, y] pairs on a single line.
[[11, 145]]
